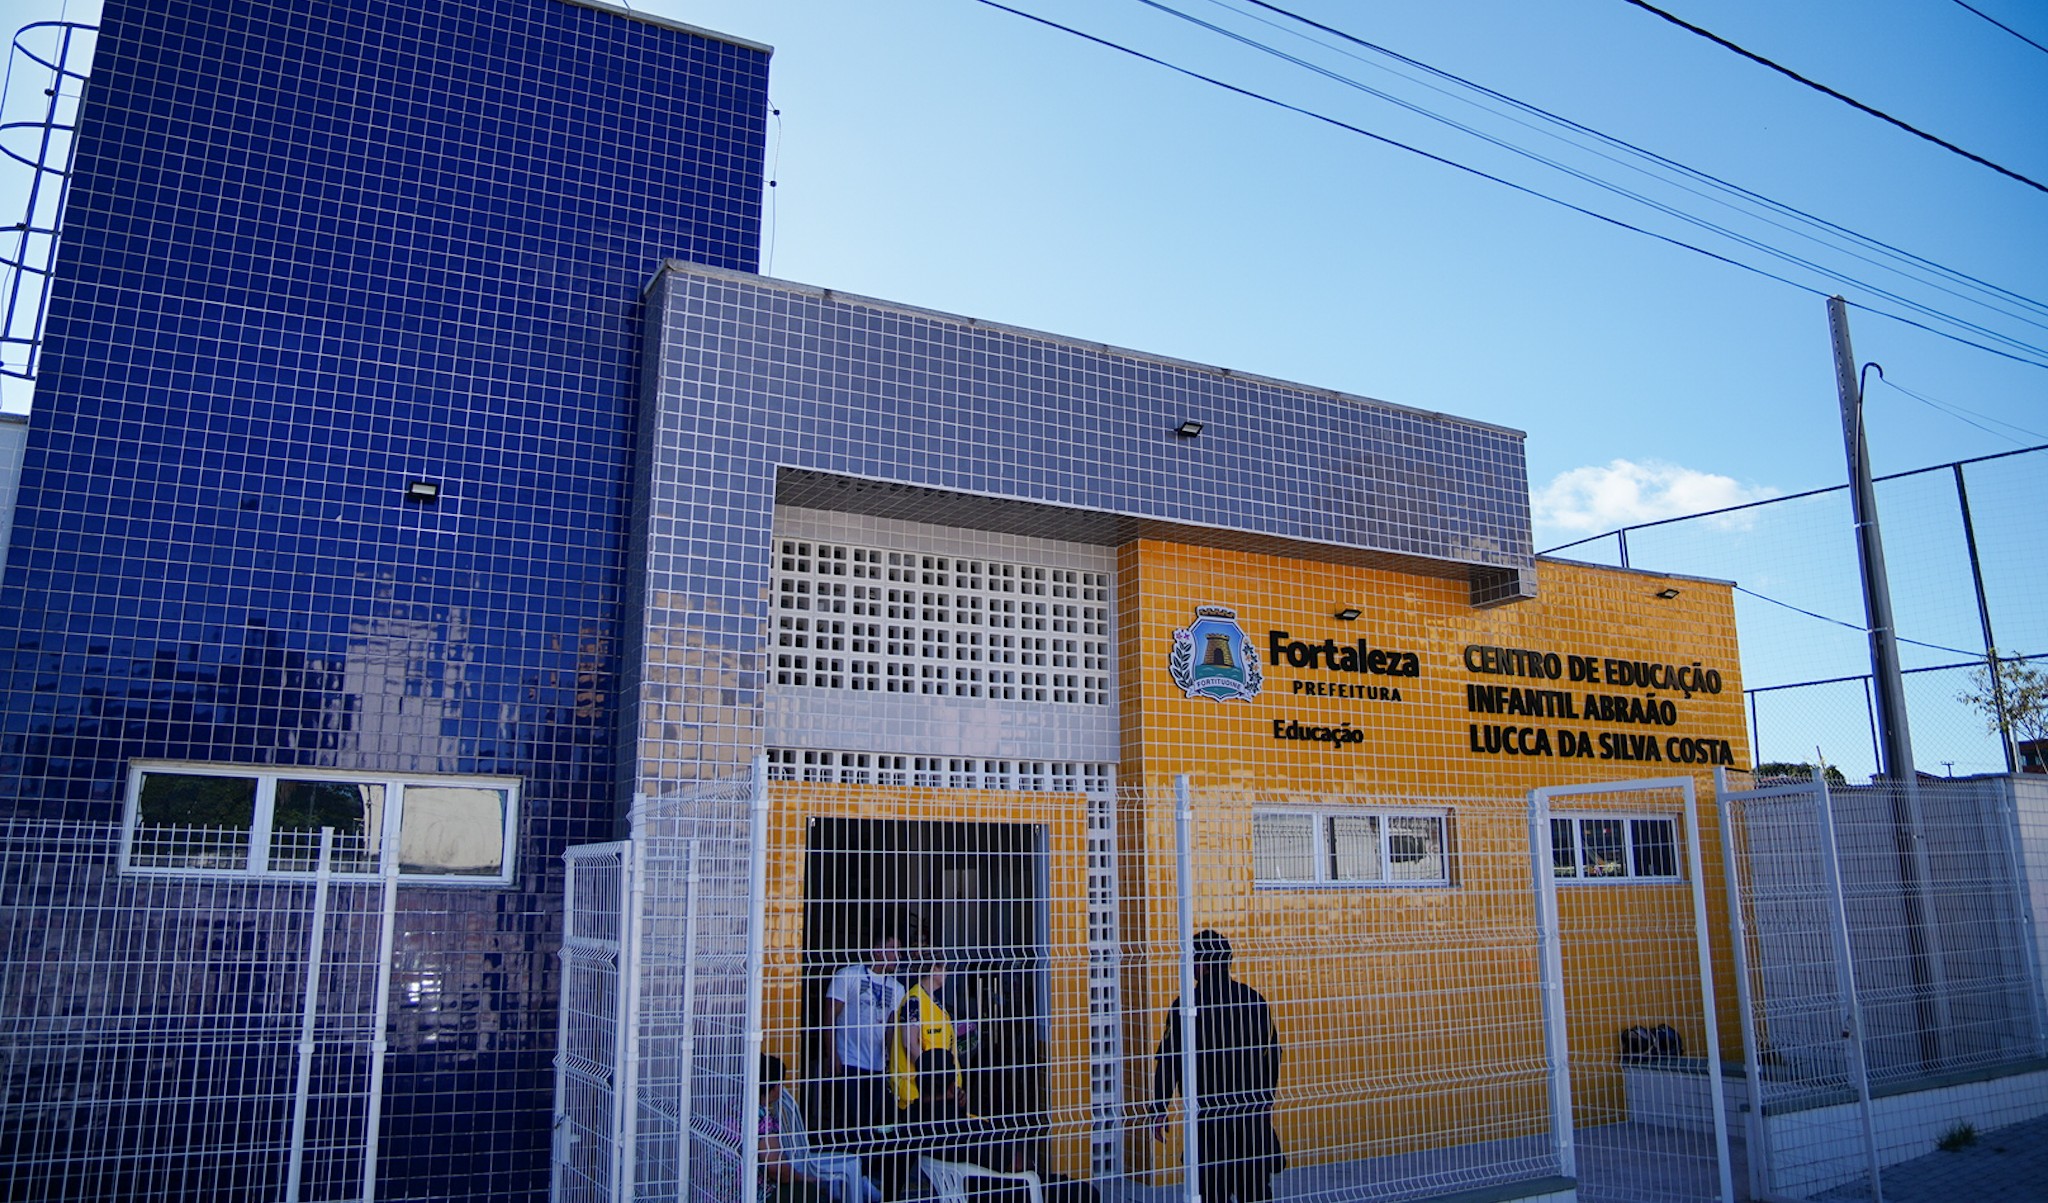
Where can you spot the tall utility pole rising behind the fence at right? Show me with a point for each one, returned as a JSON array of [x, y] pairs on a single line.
[[1895, 743]]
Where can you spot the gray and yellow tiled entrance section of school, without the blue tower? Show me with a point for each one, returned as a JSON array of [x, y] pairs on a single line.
[[986, 597]]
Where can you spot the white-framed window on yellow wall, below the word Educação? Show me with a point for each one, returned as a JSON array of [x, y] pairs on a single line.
[[1351, 847]]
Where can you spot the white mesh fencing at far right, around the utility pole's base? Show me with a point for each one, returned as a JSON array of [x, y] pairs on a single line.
[[1902, 983]]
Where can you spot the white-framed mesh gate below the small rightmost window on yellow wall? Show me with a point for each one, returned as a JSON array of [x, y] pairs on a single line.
[[1629, 991]]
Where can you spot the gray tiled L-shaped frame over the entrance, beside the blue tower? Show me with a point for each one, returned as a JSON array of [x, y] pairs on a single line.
[[761, 388]]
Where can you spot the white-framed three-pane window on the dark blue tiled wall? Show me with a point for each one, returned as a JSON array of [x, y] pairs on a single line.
[[218, 819]]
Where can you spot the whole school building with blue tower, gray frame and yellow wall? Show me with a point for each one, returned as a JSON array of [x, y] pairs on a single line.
[[417, 456]]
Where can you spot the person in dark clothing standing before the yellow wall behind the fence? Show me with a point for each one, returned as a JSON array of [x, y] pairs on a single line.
[[1236, 1071]]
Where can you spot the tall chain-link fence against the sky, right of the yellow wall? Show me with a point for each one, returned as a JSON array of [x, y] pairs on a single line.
[[1969, 573]]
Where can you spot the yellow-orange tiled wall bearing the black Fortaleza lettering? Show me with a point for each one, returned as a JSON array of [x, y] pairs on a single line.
[[1420, 743]]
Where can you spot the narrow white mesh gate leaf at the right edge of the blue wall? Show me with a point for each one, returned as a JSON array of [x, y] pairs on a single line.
[[595, 1052]]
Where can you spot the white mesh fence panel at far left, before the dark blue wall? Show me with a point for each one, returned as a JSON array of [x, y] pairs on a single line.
[[157, 1032]]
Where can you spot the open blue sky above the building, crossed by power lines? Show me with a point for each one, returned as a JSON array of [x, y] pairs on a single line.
[[947, 155]]
